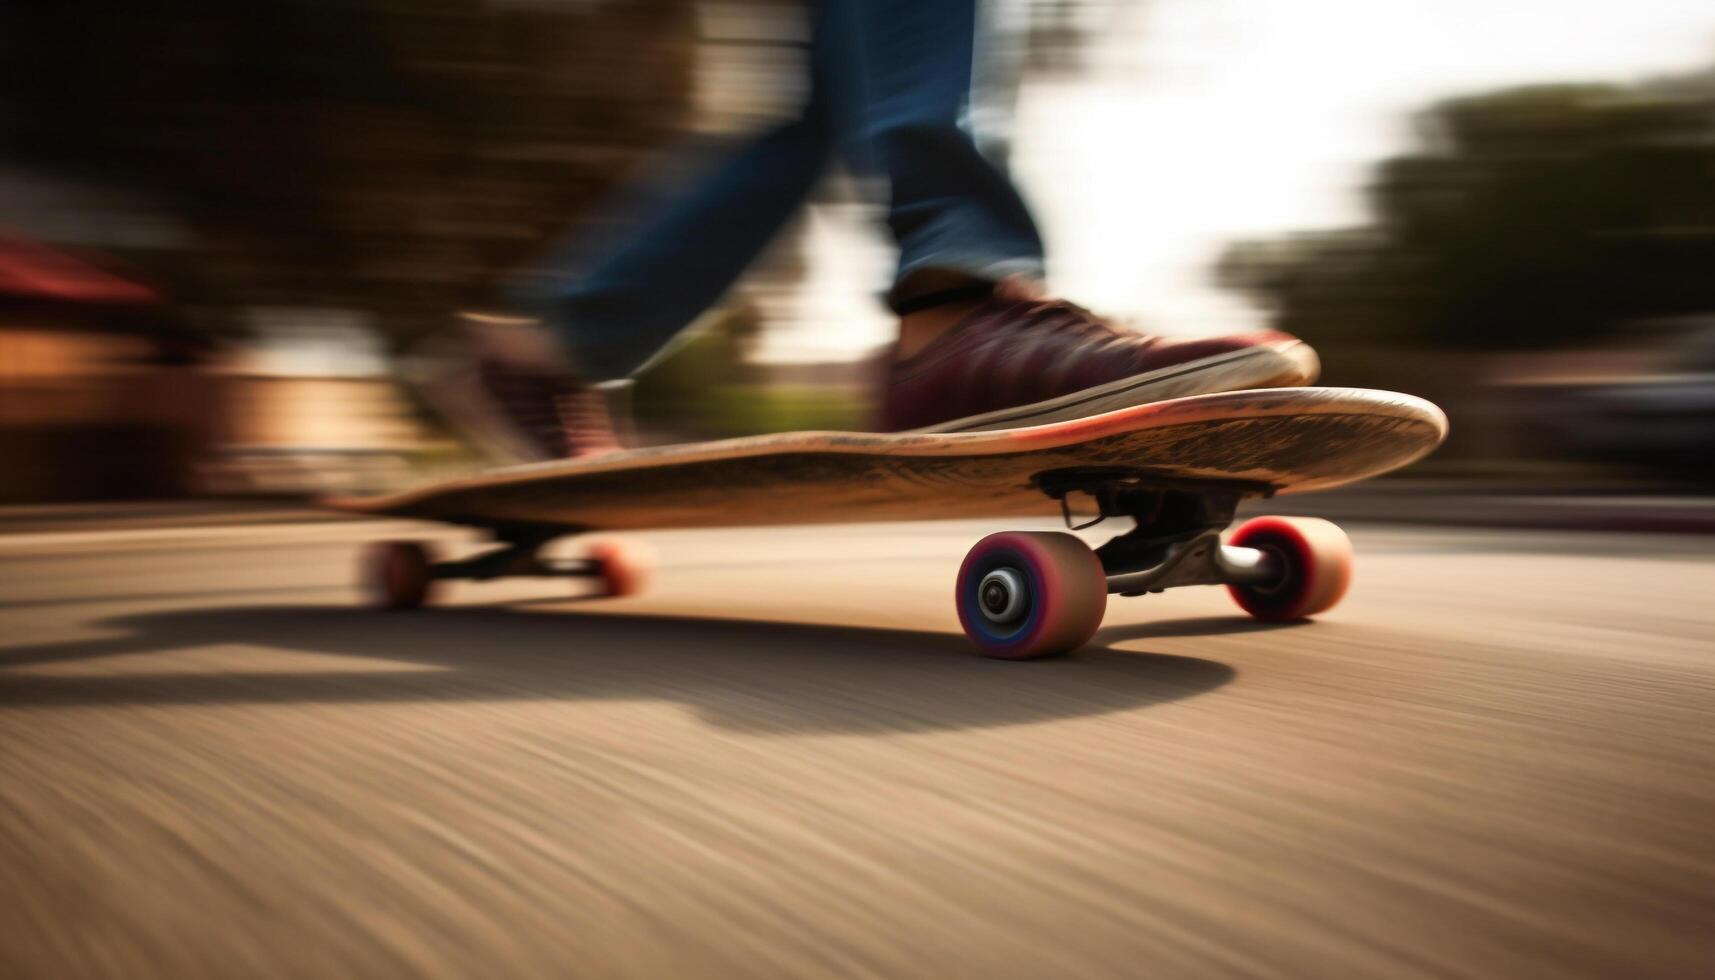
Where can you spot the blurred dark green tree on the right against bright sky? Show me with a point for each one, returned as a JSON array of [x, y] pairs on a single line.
[[1527, 219]]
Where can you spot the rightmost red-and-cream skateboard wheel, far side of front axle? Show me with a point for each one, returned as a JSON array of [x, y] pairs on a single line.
[[1315, 567]]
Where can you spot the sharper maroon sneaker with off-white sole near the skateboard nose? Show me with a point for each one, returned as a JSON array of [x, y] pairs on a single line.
[[1026, 361]]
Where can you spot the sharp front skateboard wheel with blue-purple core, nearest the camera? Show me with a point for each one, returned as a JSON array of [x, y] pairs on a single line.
[[1032, 593]]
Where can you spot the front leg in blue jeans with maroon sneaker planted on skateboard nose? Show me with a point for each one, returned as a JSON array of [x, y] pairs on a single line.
[[980, 348]]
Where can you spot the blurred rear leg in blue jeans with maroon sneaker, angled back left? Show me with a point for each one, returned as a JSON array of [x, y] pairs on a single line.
[[611, 303]]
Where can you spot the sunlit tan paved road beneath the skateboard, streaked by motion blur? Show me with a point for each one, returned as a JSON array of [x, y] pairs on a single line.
[[1496, 759]]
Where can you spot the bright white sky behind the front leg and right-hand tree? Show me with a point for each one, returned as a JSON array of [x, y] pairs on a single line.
[[1208, 121]]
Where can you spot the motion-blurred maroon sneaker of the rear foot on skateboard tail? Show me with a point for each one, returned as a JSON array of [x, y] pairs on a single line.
[[515, 402]]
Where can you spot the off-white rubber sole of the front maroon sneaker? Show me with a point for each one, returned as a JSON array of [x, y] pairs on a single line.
[[1285, 365]]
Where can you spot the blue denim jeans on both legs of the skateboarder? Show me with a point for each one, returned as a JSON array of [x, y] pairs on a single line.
[[889, 88]]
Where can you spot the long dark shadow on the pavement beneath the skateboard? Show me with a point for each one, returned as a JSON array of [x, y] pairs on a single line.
[[754, 677]]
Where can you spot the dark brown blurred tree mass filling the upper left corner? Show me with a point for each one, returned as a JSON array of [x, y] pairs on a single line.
[[395, 157]]
